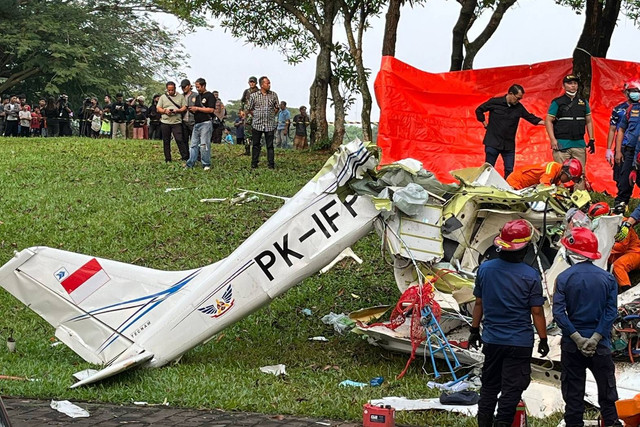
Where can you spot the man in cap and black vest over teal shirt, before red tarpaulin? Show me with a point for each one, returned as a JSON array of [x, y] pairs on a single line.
[[566, 120]]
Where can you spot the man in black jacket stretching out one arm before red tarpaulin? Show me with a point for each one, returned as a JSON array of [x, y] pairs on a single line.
[[505, 113]]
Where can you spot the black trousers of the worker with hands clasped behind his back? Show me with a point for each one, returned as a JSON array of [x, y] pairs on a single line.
[[574, 374]]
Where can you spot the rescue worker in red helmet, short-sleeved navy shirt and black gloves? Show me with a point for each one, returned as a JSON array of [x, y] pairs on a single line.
[[508, 294]]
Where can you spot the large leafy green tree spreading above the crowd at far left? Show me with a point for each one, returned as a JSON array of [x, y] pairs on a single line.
[[73, 45]]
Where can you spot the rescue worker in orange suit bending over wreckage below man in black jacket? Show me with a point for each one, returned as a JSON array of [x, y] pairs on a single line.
[[546, 173]]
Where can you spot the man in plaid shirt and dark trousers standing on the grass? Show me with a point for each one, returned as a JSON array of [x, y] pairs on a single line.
[[263, 106]]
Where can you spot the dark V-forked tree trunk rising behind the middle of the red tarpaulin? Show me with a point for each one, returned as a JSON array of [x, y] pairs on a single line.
[[464, 51]]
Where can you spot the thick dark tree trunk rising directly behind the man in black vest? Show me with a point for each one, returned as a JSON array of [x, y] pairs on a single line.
[[595, 39]]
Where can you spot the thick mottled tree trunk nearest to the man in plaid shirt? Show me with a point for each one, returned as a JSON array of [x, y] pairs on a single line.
[[318, 92]]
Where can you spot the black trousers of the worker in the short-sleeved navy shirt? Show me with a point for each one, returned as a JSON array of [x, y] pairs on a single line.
[[506, 370]]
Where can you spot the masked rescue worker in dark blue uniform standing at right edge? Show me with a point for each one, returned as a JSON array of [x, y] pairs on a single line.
[[626, 147]]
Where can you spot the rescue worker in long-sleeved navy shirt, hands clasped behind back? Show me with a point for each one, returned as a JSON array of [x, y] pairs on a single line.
[[584, 306]]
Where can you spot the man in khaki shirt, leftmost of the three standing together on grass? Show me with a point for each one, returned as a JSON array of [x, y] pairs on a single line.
[[171, 105]]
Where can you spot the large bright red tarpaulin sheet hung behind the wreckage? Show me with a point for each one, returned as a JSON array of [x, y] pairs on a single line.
[[431, 117]]
